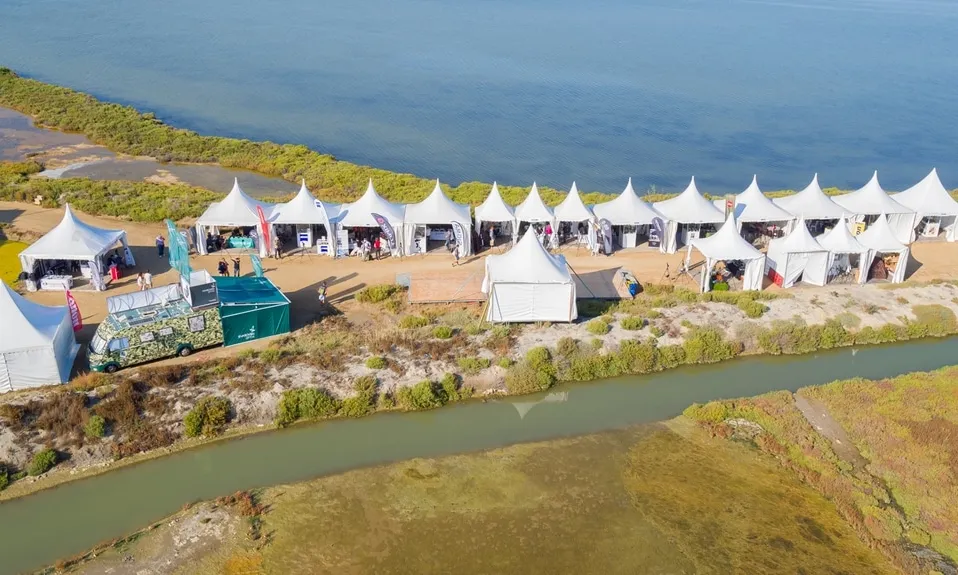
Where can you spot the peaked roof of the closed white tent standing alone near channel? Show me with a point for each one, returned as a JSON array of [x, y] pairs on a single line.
[[527, 262]]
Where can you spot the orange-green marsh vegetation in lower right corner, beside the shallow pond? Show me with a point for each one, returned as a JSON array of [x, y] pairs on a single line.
[[885, 456]]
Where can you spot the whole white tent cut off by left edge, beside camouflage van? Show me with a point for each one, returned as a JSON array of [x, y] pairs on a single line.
[[37, 346]]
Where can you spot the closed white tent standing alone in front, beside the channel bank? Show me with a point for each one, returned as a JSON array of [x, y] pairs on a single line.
[[528, 284]]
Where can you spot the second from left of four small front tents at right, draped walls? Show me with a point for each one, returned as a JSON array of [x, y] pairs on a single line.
[[797, 255]]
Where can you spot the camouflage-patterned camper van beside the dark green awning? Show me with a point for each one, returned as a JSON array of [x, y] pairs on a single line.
[[155, 331]]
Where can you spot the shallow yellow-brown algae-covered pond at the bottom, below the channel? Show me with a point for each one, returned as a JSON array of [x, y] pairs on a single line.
[[645, 500]]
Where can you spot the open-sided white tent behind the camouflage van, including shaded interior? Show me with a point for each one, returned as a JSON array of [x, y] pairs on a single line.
[[75, 255]]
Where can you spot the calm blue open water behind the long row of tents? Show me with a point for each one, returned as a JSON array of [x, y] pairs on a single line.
[[524, 90]]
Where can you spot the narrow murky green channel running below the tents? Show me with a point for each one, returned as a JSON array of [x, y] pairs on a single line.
[[69, 519]]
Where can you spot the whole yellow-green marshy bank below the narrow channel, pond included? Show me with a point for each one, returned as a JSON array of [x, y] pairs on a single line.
[[505, 507]]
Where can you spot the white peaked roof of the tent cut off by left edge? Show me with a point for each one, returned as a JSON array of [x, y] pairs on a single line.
[[27, 324]]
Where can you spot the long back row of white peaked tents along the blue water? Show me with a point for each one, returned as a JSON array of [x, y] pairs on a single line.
[[689, 210]]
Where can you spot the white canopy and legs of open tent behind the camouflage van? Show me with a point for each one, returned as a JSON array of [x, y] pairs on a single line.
[[73, 239]]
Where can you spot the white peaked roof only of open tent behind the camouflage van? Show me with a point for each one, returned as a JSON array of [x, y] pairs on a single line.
[[72, 239]]
